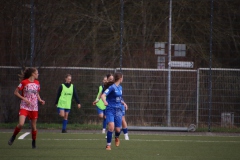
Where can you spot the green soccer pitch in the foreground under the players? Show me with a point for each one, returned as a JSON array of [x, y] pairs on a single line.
[[90, 146]]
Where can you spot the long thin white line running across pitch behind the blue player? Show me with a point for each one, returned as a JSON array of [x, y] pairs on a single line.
[[142, 140]]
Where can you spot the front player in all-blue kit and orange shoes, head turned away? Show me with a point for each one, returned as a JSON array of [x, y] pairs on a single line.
[[112, 98]]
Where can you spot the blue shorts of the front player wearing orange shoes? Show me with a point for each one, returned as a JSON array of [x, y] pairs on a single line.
[[114, 115]]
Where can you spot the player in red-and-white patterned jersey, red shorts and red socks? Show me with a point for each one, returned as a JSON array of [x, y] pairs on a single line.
[[28, 92]]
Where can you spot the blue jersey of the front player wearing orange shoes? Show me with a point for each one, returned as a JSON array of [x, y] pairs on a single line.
[[114, 96]]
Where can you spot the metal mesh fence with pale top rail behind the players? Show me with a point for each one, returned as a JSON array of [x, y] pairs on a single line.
[[144, 91]]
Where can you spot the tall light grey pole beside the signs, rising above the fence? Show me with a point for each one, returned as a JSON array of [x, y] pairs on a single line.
[[169, 66]]
